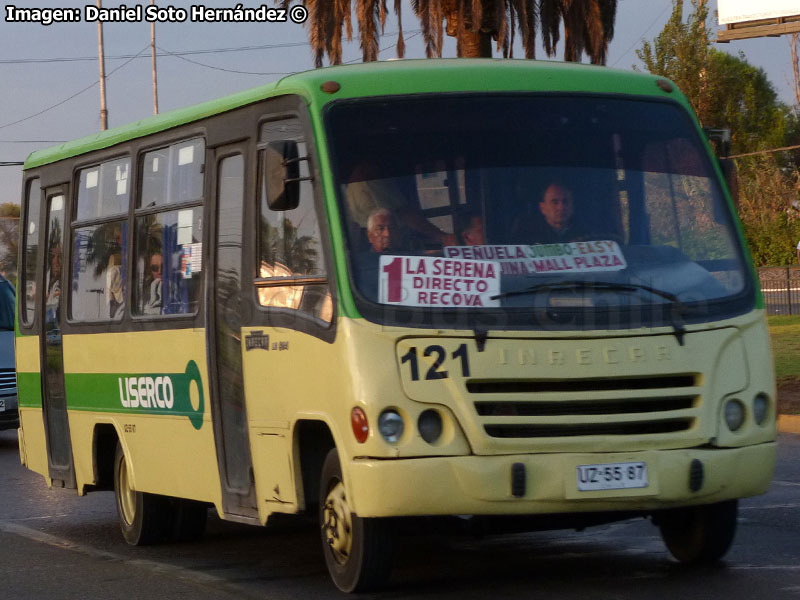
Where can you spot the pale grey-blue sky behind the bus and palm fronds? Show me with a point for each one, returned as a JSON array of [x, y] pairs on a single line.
[[49, 75]]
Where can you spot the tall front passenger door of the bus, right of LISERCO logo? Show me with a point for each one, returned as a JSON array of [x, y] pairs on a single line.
[[225, 309]]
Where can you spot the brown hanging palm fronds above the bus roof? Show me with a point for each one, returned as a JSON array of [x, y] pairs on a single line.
[[588, 26]]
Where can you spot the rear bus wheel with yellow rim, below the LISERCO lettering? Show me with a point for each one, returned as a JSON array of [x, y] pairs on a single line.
[[143, 518]]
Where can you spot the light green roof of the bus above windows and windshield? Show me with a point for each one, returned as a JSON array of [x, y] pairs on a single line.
[[378, 79]]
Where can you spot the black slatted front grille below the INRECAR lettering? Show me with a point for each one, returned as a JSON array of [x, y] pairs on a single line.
[[624, 406]]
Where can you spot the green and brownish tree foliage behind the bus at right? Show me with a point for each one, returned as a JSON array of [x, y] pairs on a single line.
[[727, 91]]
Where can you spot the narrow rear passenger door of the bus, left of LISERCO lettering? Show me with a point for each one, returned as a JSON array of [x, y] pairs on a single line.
[[56, 423]]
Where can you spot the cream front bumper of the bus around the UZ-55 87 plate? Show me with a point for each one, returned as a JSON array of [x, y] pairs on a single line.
[[482, 485]]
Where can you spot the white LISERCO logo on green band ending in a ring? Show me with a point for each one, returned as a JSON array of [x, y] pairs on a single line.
[[169, 393]]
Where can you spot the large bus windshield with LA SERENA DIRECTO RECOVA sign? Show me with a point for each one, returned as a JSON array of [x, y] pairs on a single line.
[[510, 202]]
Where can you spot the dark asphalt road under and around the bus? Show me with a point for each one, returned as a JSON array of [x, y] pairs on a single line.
[[54, 544]]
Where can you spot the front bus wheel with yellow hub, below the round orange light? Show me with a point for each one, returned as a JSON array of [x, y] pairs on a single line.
[[359, 552]]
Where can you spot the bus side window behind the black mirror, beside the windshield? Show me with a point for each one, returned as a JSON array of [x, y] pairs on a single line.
[[289, 242]]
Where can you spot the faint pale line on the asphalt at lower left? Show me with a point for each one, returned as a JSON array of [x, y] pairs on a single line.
[[191, 576]]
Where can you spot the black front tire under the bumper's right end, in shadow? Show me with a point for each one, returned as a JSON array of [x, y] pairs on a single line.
[[699, 535]]
